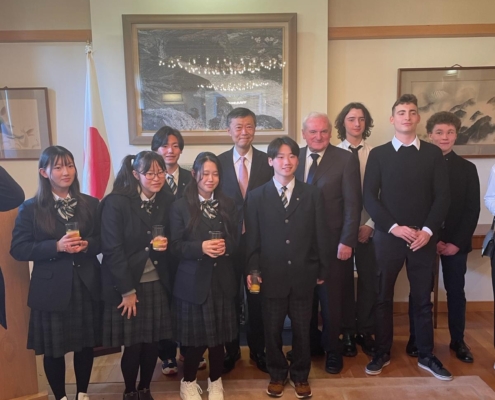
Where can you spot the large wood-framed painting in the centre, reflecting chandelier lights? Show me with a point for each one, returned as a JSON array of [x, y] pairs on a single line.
[[190, 71]]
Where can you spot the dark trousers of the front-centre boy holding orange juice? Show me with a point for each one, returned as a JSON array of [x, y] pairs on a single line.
[[274, 312]]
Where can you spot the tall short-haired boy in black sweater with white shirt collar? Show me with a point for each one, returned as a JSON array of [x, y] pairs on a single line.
[[406, 192]]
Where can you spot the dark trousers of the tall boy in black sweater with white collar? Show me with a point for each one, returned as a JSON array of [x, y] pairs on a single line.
[[391, 253]]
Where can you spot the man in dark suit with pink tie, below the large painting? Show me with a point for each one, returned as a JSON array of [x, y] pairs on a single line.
[[244, 169]]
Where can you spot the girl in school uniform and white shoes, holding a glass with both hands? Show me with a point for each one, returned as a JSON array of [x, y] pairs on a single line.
[[204, 286]]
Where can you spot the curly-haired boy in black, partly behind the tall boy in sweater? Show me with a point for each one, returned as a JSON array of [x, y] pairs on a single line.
[[454, 240]]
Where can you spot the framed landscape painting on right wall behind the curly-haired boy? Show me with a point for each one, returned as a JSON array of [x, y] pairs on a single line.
[[469, 93]]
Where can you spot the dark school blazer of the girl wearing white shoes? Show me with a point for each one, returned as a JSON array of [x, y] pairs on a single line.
[[195, 270]]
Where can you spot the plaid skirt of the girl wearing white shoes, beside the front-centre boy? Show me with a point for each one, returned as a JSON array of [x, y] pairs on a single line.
[[208, 324]]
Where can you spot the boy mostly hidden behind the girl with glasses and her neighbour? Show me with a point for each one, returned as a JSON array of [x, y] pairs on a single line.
[[169, 143]]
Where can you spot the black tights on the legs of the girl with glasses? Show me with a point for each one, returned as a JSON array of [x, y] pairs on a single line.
[[141, 355]]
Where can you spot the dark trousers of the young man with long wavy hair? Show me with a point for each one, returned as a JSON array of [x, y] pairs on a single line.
[[358, 314]]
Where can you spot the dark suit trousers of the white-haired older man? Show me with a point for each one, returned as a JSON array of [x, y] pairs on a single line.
[[330, 295]]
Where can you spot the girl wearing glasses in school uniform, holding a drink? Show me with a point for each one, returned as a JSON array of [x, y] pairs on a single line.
[[134, 272]]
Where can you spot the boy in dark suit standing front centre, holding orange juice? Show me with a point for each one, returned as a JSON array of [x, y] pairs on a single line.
[[286, 241]]
